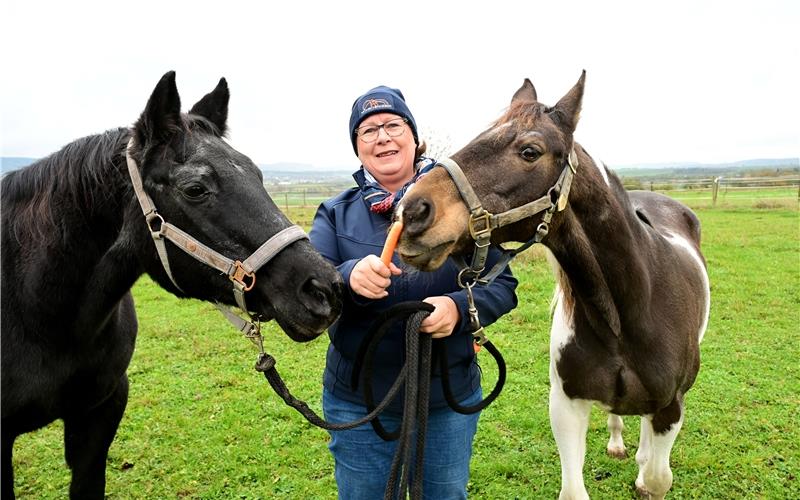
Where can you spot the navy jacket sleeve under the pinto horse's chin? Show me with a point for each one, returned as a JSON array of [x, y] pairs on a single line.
[[492, 301]]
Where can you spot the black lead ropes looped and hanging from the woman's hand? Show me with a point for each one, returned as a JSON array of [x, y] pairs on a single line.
[[416, 373]]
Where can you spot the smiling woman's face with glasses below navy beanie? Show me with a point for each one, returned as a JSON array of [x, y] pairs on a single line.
[[389, 159]]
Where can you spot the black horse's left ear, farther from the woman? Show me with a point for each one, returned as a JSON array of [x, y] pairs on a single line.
[[161, 117]]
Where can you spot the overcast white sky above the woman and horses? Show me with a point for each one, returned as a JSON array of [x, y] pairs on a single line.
[[705, 81]]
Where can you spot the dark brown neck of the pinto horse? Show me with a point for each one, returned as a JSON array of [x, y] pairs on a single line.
[[597, 249]]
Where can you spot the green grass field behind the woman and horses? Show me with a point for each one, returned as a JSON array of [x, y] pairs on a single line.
[[201, 423]]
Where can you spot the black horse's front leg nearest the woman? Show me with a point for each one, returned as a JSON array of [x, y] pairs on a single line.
[[87, 438]]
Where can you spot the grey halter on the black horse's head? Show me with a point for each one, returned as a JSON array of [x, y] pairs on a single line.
[[241, 274]]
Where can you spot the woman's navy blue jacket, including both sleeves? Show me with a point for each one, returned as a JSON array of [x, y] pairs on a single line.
[[344, 231]]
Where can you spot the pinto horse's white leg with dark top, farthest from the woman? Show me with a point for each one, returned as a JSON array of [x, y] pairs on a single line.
[[655, 475]]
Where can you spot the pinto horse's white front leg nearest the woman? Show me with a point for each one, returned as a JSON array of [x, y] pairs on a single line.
[[569, 420]]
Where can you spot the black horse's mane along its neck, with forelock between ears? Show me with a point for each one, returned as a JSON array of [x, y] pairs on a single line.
[[44, 198]]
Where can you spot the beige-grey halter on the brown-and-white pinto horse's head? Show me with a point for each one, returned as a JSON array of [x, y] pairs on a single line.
[[482, 223]]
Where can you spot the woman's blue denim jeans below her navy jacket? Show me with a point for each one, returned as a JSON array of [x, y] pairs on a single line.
[[363, 460]]
